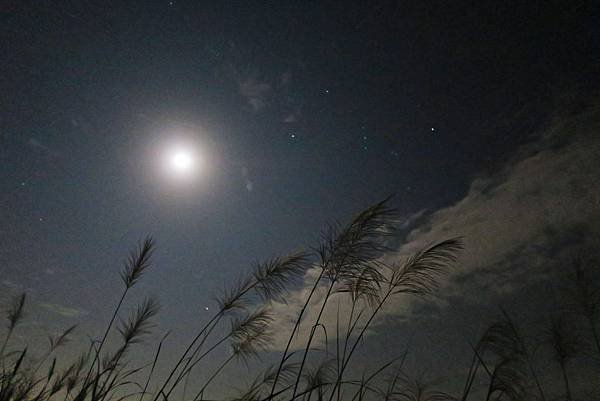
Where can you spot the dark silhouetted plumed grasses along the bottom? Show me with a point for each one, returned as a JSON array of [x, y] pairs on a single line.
[[507, 364]]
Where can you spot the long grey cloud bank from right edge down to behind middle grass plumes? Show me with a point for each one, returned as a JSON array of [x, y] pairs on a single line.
[[519, 225]]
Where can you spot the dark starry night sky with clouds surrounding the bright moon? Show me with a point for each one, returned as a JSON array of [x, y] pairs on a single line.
[[301, 114]]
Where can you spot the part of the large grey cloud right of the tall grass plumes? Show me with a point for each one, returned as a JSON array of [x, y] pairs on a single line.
[[527, 213]]
